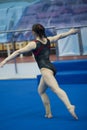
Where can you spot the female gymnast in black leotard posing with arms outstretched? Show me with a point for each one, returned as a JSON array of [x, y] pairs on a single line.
[[41, 50]]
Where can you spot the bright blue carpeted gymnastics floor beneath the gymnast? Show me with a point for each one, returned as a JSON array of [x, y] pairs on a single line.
[[21, 107]]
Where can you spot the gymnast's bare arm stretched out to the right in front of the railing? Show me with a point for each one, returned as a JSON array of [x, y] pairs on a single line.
[[63, 35]]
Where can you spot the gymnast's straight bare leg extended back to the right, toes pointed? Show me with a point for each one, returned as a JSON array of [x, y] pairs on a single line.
[[52, 83]]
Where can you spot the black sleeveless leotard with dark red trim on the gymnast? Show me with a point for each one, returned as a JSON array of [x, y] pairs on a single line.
[[41, 54]]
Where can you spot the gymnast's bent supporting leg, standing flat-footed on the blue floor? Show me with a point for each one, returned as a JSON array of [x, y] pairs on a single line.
[[41, 90]]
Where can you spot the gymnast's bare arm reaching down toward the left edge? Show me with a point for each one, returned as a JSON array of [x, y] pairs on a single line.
[[29, 47]]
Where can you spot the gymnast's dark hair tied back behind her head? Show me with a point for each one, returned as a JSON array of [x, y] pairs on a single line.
[[39, 30]]
